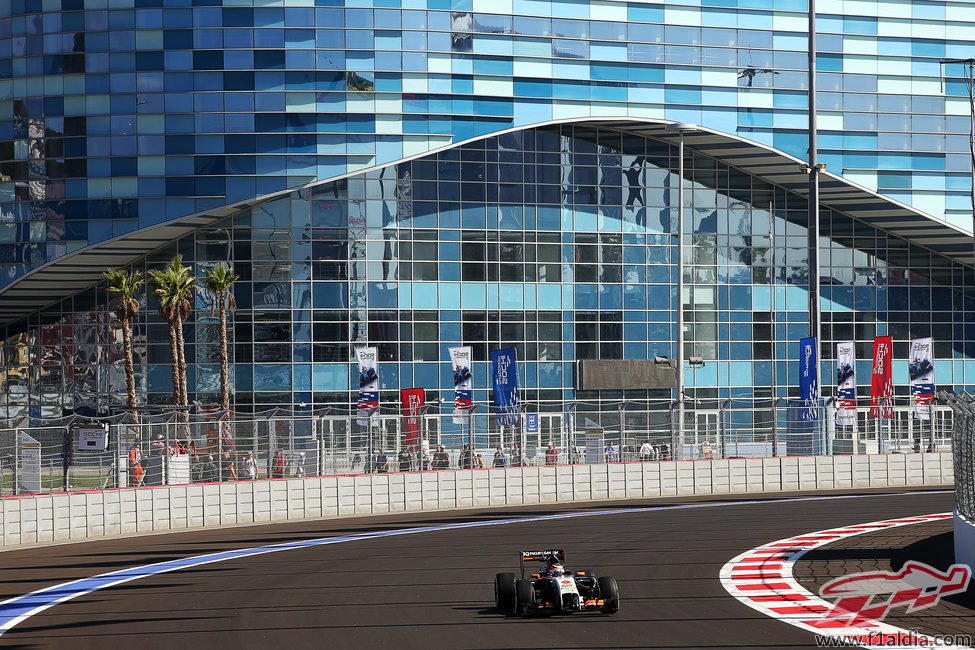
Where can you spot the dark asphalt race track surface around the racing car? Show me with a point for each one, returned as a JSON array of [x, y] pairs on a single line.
[[435, 589]]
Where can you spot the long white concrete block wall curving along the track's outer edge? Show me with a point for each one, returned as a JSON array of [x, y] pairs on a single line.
[[90, 515]]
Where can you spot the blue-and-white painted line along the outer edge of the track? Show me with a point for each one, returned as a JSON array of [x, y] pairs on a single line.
[[19, 608]]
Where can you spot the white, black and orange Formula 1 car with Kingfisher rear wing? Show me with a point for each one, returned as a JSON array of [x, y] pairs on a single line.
[[554, 590]]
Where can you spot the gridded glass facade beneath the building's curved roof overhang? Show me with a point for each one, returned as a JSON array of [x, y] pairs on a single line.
[[556, 241]]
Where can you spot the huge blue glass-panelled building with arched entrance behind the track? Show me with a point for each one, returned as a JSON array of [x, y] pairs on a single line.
[[421, 174]]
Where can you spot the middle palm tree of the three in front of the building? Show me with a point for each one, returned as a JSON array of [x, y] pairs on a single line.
[[173, 285]]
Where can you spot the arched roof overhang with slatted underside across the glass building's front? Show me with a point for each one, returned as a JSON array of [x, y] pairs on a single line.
[[83, 269]]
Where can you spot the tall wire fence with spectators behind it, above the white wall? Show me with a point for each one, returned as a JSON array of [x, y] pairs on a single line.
[[73, 455]]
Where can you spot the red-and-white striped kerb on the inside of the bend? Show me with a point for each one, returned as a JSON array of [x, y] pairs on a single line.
[[762, 579]]
